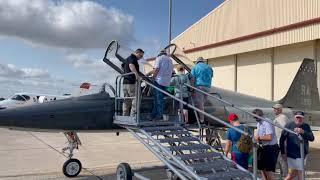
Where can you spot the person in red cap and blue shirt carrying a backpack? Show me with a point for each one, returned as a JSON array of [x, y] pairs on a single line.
[[233, 138]]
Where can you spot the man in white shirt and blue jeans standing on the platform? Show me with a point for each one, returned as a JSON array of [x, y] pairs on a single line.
[[162, 73]]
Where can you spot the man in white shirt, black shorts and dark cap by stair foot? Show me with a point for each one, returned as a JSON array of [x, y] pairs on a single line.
[[268, 150]]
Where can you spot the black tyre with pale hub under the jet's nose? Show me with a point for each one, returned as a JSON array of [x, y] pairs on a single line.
[[71, 168]]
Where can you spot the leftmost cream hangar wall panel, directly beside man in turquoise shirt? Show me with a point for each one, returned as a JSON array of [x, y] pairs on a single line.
[[224, 72]]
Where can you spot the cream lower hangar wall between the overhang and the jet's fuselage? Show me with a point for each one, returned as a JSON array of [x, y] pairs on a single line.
[[265, 73]]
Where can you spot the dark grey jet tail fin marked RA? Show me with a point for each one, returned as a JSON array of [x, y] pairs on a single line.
[[303, 93]]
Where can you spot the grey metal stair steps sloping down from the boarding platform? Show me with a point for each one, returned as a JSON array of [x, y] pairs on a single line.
[[185, 155]]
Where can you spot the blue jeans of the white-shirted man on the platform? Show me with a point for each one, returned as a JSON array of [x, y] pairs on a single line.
[[158, 102]]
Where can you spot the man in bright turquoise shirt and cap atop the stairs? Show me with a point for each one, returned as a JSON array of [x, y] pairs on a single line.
[[202, 75]]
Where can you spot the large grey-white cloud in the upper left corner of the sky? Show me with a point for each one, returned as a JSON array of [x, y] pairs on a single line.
[[66, 24]]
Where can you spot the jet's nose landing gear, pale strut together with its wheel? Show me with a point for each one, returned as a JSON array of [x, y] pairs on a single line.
[[72, 167]]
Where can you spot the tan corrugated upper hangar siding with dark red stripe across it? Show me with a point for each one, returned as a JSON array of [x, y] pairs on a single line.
[[237, 18]]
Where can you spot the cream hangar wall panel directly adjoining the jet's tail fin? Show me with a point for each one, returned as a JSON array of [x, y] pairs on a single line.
[[287, 60]]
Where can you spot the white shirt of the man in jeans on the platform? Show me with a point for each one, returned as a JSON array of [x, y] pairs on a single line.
[[164, 63]]
